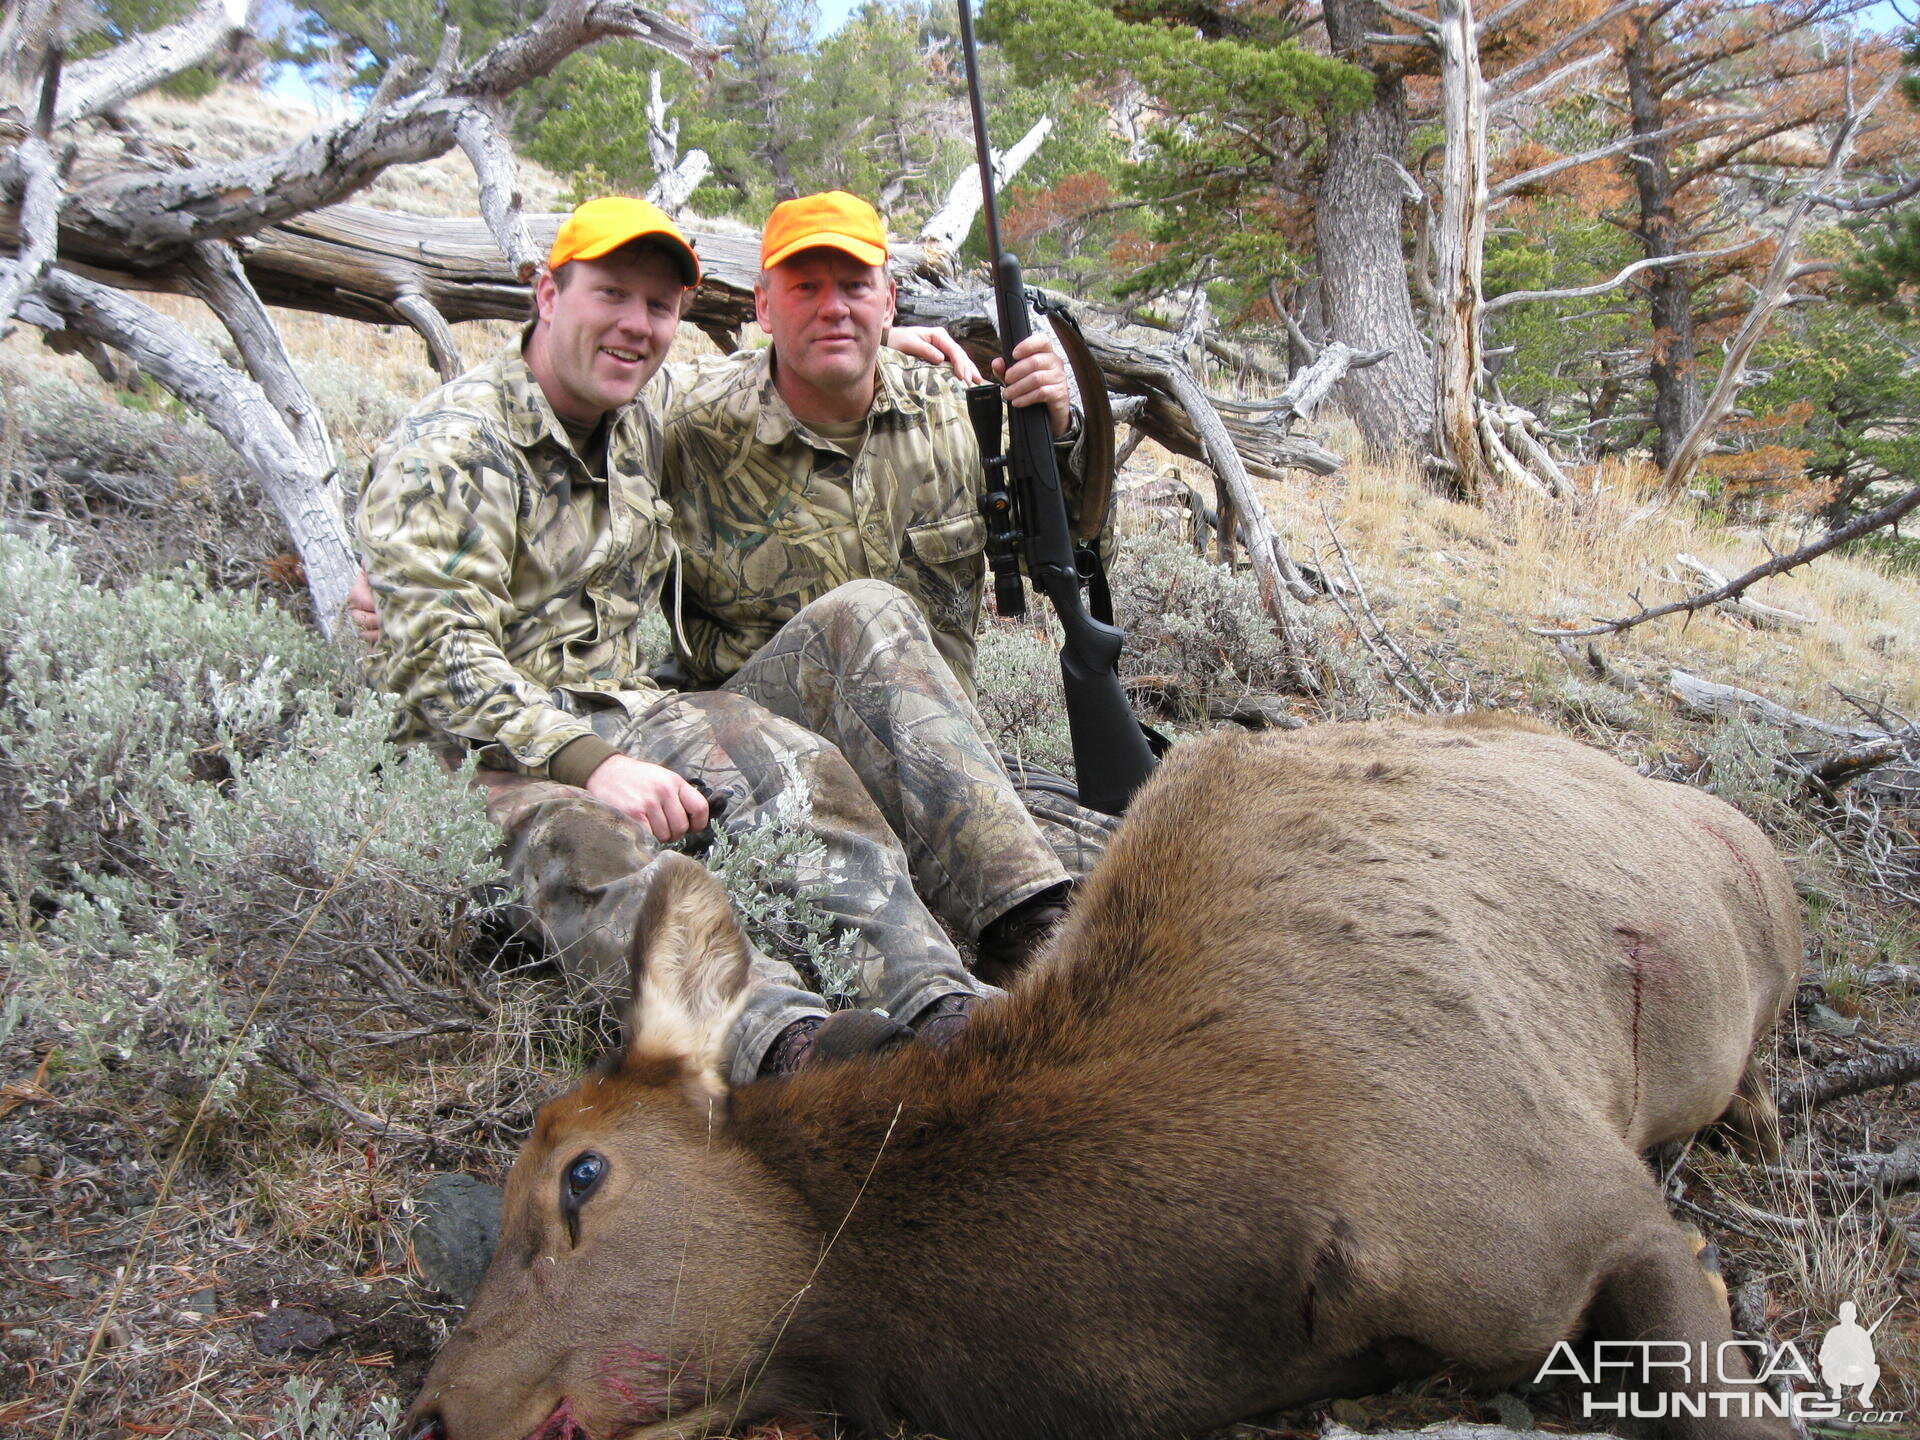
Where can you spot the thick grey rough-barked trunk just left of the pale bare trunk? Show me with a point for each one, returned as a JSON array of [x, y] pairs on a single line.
[[1362, 256]]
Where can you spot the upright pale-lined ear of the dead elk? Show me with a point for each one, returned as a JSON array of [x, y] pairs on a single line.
[[690, 971]]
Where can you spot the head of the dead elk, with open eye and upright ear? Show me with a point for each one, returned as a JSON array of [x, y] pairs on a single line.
[[644, 1268]]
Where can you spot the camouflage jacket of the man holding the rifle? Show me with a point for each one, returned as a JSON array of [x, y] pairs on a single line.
[[773, 516]]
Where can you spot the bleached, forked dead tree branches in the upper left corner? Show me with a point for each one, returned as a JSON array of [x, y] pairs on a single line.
[[132, 220]]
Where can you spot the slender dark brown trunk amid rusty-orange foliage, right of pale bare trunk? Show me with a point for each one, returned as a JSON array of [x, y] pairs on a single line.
[[1675, 366]]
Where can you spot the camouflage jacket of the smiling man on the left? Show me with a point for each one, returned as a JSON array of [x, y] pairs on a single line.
[[510, 579]]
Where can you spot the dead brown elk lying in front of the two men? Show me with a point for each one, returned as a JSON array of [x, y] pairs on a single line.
[[1339, 1074]]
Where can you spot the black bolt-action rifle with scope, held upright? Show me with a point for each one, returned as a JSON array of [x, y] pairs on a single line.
[[1028, 519]]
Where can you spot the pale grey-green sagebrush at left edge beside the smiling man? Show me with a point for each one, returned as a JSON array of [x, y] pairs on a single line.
[[201, 798]]
